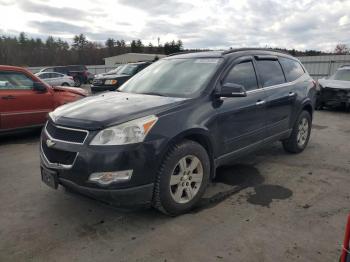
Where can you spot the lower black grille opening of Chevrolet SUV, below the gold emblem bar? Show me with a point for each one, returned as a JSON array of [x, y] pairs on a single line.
[[56, 156]]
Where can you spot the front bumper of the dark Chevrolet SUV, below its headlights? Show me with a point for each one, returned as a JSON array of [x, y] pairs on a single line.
[[83, 160]]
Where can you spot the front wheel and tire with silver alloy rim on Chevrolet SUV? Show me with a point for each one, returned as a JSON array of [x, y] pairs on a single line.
[[186, 190]]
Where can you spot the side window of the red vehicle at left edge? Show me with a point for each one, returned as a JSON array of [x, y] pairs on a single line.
[[15, 80]]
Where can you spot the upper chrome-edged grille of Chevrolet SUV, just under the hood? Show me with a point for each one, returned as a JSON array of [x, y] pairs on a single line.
[[66, 134]]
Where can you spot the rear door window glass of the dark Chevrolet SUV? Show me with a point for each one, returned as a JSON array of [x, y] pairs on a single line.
[[270, 72]]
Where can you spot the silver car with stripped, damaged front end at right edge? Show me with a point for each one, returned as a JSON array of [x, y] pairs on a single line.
[[335, 91]]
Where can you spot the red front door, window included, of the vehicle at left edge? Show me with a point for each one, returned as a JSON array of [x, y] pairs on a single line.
[[20, 105]]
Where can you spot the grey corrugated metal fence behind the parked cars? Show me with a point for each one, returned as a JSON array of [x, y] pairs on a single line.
[[317, 66]]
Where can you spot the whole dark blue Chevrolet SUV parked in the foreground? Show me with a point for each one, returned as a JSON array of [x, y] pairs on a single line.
[[159, 140]]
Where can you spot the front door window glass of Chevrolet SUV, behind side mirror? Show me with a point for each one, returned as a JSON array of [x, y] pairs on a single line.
[[243, 74]]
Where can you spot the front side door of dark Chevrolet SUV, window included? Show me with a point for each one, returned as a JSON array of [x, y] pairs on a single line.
[[241, 120]]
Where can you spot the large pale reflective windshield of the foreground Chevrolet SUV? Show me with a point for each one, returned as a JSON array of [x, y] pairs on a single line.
[[173, 77]]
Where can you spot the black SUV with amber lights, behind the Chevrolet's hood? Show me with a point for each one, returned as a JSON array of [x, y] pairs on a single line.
[[111, 82]]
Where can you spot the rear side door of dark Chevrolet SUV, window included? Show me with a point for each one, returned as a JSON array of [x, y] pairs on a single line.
[[280, 94]]
